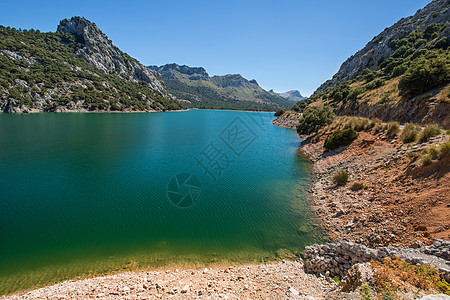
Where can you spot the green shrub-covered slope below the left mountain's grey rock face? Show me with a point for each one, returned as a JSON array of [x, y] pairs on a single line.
[[42, 69]]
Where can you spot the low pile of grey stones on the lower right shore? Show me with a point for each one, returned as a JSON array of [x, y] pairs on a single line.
[[337, 259]]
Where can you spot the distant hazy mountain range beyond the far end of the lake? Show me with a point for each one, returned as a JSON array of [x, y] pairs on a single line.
[[196, 88]]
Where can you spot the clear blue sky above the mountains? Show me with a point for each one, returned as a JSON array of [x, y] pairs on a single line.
[[283, 44]]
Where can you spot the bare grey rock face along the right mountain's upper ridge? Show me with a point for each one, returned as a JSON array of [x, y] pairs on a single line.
[[379, 48]]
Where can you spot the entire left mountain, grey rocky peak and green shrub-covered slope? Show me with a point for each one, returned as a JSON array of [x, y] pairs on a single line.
[[76, 68]]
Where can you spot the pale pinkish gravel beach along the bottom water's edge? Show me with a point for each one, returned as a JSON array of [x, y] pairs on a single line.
[[282, 280]]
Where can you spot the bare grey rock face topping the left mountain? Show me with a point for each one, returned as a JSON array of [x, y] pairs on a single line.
[[99, 51]]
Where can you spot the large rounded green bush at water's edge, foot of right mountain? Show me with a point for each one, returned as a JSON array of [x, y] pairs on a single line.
[[313, 119]]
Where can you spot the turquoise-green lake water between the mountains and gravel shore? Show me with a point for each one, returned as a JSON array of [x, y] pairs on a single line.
[[86, 193]]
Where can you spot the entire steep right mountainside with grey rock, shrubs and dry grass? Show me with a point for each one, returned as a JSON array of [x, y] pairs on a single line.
[[403, 74]]
